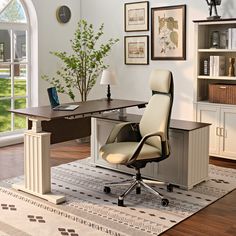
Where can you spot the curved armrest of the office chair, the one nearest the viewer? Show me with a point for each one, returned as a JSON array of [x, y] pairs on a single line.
[[164, 146]]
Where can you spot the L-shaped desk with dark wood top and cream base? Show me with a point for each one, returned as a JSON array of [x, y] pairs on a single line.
[[190, 143]]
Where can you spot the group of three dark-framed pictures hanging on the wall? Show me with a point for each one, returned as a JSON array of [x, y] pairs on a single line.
[[168, 33]]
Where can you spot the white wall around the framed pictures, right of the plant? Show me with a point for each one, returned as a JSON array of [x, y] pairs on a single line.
[[133, 79]]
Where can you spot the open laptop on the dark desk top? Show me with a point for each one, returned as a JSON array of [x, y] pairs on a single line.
[[55, 104]]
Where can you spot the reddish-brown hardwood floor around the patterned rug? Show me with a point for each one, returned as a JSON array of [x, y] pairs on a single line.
[[217, 219]]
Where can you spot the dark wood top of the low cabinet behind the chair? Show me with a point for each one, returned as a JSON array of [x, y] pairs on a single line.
[[174, 124]]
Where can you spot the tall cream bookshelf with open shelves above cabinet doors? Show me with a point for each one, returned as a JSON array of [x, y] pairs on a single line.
[[222, 115]]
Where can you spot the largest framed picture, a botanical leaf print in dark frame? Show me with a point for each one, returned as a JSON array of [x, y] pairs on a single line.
[[168, 33]]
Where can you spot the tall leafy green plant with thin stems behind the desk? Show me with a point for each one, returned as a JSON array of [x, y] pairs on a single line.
[[81, 69]]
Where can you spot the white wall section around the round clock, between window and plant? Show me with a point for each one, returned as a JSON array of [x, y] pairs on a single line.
[[52, 36]]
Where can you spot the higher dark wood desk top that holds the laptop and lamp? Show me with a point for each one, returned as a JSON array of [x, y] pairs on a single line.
[[85, 108]]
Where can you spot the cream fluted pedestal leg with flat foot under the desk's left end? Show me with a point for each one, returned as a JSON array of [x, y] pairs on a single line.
[[37, 167]]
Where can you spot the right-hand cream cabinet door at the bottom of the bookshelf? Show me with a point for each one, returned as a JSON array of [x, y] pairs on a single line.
[[228, 123]]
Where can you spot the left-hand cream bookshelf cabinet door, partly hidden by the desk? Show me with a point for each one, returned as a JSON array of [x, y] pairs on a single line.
[[211, 114]]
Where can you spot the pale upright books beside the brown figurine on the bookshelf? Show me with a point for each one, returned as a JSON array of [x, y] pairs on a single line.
[[217, 65]]
